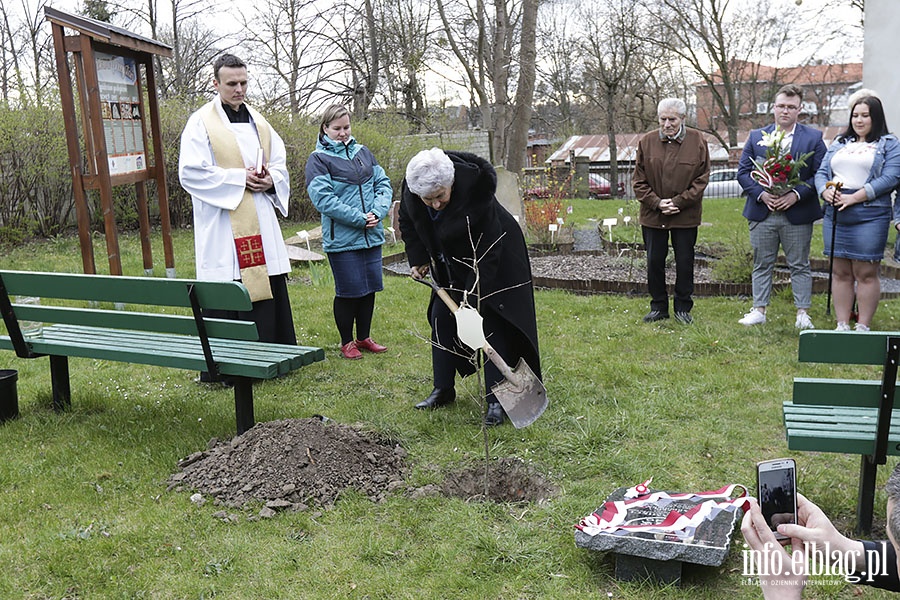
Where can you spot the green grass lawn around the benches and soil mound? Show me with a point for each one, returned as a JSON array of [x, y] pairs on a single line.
[[84, 510]]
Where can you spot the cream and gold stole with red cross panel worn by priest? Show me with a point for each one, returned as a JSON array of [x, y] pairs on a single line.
[[244, 220]]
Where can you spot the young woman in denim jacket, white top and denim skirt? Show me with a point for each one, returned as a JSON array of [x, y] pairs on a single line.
[[865, 161]]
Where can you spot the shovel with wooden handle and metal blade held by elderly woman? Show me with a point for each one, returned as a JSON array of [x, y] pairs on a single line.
[[522, 395]]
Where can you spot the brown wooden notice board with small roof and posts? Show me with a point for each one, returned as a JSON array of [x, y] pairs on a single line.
[[110, 65]]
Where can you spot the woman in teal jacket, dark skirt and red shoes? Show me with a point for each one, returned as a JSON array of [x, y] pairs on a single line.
[[352, 192]]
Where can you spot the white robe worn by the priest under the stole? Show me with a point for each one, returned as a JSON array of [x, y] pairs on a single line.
[[216, 191]]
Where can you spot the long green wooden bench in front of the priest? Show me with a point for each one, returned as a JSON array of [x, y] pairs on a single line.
[[76, 325]]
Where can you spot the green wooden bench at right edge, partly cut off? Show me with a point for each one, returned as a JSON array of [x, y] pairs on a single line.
[[849, 416]]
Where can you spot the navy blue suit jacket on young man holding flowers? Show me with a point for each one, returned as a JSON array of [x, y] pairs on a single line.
[[807, 209]]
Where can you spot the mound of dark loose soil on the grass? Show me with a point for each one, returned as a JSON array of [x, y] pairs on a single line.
[[291, 464]]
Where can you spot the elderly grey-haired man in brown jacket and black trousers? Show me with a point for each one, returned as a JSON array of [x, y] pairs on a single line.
[[670, 173]]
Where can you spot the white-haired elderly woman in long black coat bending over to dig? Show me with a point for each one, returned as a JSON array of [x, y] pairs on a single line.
[[447, 207]]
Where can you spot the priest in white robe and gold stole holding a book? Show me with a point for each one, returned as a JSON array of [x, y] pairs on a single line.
[[233, 165]]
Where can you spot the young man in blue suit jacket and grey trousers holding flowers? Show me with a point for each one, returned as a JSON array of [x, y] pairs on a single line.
[[786, 220]]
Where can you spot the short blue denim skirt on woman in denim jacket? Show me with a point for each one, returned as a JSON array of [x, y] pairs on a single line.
[[861, 232]]
